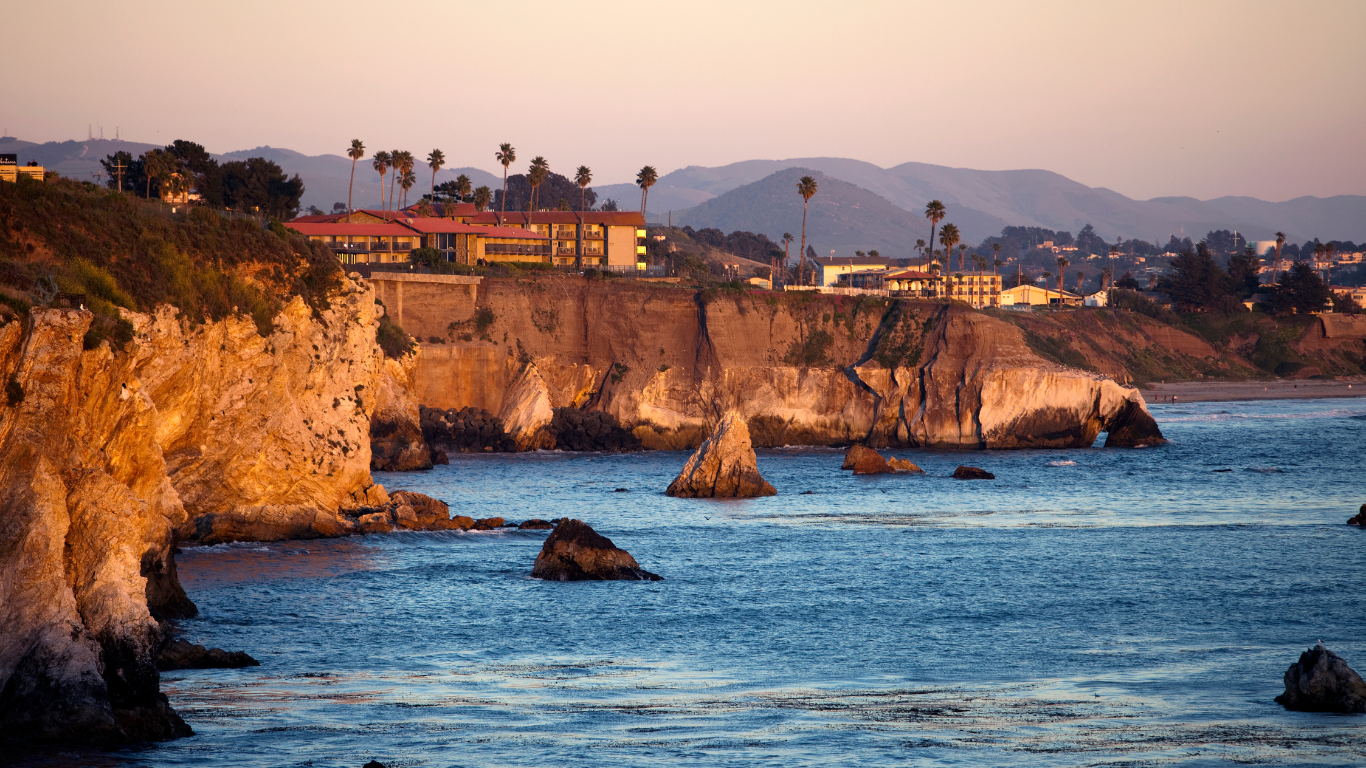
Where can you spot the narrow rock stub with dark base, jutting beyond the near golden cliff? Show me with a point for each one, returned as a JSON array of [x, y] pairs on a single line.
[[397, 442]]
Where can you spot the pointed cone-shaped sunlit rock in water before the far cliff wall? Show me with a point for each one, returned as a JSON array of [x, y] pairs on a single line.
[[723, 465]]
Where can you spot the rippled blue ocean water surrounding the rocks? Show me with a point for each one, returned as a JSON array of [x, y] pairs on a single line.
[[1092, 607]]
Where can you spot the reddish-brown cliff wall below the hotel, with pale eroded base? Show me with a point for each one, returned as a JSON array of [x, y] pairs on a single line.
[[801, 370]]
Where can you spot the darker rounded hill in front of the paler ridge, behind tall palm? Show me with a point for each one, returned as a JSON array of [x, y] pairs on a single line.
[[842, 217]]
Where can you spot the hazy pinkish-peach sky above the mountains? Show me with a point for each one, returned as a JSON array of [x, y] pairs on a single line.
[[1149, 99]]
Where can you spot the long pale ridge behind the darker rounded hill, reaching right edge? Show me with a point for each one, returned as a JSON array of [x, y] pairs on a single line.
[[1039, 199]]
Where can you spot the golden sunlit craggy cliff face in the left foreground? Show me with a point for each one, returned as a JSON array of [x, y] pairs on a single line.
[[207, 430]]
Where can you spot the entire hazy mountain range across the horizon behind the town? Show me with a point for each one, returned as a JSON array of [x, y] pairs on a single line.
[[863, 206]]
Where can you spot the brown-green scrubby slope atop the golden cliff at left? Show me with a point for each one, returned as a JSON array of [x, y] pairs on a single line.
[[124, 252]]
